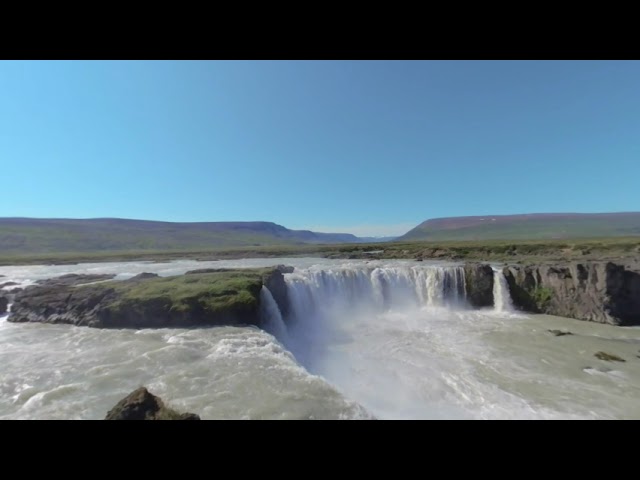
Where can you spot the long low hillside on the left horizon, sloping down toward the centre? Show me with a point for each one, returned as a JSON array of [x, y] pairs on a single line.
[[28, 235]]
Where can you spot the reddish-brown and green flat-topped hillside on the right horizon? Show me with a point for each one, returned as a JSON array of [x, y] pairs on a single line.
[[527, 227]]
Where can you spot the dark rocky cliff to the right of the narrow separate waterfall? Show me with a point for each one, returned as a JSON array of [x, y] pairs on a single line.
[[602, 292]]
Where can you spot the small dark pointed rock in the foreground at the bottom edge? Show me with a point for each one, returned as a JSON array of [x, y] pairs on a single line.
[[142, 405]]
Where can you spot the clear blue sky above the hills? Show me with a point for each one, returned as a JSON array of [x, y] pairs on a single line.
[[370, 148]]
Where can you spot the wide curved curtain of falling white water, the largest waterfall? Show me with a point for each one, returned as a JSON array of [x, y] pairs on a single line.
[[323, 301]]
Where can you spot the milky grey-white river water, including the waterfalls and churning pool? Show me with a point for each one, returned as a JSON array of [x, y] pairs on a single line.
[[387, 340]]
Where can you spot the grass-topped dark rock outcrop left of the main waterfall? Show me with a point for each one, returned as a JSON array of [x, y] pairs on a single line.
[[230, 297]]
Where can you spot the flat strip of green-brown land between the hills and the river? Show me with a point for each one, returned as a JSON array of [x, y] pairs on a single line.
[[487, 250]]
